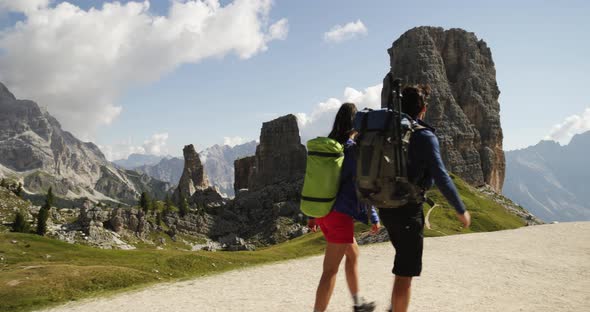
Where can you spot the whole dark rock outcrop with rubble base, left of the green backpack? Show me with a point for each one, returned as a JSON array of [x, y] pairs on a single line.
[[268, 211]]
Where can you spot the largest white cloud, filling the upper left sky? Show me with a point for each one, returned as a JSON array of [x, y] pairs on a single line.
[[77, 62]]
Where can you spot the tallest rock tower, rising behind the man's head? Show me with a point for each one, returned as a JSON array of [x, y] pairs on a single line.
[[463, 105]]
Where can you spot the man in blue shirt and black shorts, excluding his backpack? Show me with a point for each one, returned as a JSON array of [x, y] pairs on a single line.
[[405, 225]]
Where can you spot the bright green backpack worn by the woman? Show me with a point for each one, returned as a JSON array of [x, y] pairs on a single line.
[[325, 157]]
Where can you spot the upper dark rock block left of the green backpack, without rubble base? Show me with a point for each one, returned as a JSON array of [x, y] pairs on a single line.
[[280, 156]]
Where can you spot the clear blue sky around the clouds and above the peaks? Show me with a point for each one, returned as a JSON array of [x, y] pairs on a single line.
[[540, 49]]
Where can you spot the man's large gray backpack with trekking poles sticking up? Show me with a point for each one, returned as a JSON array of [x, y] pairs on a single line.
[[382, 152]]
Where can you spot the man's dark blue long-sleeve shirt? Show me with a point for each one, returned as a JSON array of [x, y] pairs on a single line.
[[425, 166]]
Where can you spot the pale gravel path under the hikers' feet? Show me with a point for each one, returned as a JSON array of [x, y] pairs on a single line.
[[540, 268]]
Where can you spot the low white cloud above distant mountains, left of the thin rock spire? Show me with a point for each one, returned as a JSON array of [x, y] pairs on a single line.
[[156, 145]]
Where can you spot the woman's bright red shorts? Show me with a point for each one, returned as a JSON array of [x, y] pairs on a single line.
[[338, 227]]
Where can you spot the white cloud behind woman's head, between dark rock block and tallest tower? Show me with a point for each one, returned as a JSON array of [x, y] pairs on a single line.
[[320, 120]]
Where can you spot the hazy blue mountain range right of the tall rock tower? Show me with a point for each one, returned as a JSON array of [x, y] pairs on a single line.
[[550, 180]]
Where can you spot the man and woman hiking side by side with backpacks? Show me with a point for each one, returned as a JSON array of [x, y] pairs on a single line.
[[404, 224]]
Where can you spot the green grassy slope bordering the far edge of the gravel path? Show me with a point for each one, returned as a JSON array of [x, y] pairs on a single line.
[[37, 272]]
